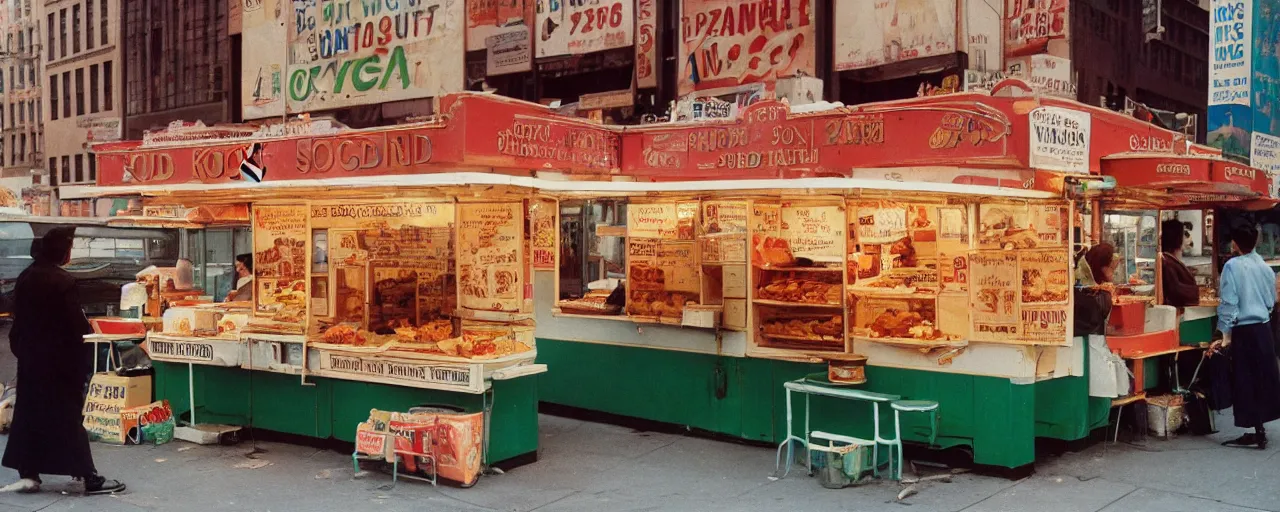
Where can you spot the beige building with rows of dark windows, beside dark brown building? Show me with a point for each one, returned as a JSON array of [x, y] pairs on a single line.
[[83, 85]]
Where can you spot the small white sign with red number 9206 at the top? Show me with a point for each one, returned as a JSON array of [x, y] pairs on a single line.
[[575, 28]]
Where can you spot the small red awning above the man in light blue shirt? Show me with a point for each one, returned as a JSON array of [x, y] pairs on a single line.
[[1172, 181]]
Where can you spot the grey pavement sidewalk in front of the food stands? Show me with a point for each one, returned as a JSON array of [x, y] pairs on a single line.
[[591, 467]]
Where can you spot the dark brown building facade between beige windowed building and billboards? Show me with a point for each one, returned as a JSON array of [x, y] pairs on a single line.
[[180, 63]]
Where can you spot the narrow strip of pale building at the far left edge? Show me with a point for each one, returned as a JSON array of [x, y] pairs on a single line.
[[21, 72]]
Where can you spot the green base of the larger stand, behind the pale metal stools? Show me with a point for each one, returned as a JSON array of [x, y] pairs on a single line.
[[994, 419]]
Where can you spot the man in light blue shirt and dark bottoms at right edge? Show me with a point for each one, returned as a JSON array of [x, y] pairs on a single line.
[[1249, 294]]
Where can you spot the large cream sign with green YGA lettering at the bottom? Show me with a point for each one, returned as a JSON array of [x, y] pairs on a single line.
[[344, 54]]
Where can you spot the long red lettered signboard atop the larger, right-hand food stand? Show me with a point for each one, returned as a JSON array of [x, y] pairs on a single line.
[[767, 143]]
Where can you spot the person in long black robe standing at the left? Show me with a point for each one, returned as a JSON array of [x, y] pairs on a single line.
[[54, 365]]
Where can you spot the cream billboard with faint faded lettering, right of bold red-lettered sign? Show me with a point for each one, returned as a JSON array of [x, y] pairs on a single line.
[[884, 33]]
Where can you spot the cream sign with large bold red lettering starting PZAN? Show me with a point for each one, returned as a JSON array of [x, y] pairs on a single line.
[[729, 43]]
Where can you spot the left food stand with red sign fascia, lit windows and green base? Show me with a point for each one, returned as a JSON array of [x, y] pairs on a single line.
[[392, 269]]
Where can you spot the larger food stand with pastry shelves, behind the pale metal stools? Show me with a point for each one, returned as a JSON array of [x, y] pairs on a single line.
[[828, 236]]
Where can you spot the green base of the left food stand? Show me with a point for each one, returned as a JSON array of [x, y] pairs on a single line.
[[331, 409]]
